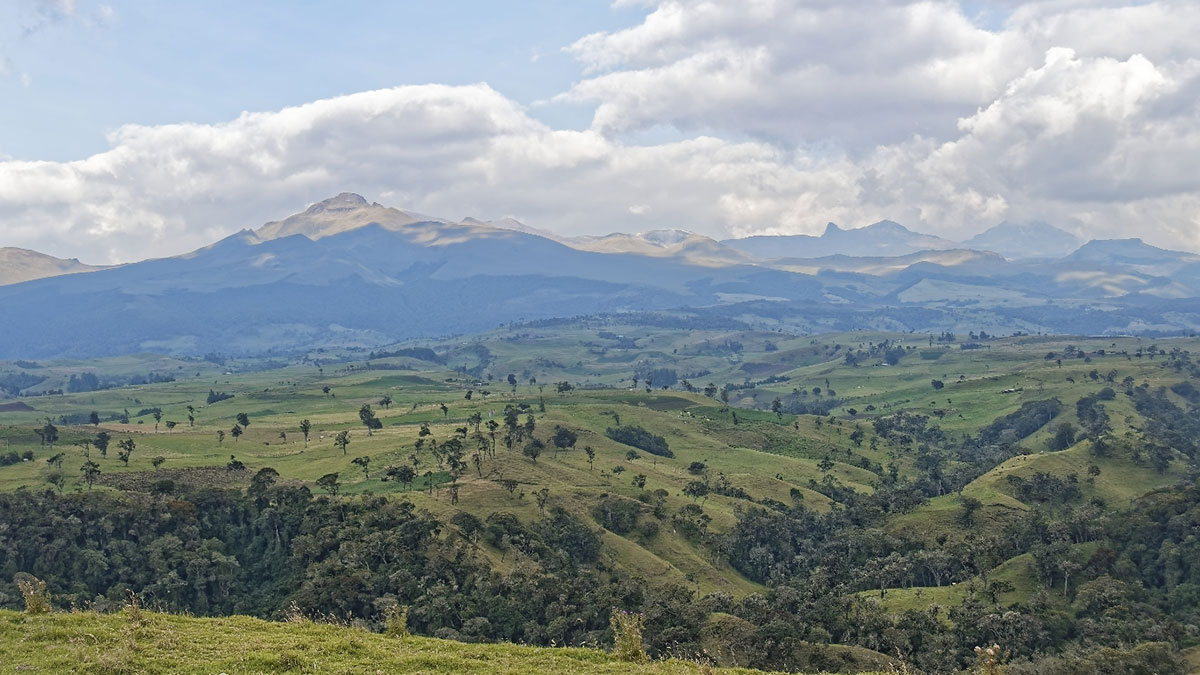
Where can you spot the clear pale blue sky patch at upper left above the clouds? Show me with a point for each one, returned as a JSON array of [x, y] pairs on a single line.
[[76, 77]]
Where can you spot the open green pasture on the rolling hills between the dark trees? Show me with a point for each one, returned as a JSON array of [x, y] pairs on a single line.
[[771, 457]]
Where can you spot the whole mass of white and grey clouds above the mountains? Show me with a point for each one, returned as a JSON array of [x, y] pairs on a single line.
[[794, 114]]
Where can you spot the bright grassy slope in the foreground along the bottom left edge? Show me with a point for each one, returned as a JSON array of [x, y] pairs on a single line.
[[161, 643]]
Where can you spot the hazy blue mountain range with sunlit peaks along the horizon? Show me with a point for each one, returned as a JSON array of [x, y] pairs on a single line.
[[346, 272]]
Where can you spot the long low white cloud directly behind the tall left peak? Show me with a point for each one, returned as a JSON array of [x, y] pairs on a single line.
[[448, 151]]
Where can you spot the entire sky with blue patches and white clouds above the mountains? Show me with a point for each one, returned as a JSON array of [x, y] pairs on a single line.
[[147, 129]]
